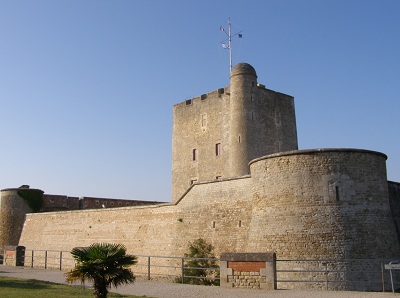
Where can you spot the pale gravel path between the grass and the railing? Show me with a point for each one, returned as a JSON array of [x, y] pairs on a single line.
[[165, 290]]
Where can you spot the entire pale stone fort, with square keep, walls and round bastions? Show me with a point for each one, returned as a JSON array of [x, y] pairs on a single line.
[[239, 182]]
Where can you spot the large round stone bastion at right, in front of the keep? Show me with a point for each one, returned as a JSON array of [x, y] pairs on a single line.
[[324, 204]]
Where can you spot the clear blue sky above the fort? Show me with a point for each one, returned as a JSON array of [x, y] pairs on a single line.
[[87, 87]]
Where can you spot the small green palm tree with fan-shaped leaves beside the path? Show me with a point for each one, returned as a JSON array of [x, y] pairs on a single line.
[[106, 264]]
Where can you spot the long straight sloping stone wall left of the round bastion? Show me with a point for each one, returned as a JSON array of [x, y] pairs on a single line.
[[211, 210]]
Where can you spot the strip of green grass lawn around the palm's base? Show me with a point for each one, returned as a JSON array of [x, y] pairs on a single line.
[[30, 288]]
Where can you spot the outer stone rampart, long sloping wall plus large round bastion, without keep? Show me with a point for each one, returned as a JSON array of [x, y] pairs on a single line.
[[309, 204]]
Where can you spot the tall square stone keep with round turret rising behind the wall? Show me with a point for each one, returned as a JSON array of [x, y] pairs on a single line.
[[217, 134]]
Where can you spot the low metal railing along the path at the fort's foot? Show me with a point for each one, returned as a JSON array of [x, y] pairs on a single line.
[[328, 274]]
